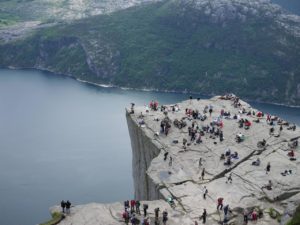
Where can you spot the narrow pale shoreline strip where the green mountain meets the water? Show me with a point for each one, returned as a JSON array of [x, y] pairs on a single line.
[[140, 89]]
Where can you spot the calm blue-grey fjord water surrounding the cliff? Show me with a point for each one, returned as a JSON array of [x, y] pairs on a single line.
[[63, 139]]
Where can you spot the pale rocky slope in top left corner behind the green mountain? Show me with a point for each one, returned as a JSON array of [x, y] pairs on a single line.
[[60, 10]]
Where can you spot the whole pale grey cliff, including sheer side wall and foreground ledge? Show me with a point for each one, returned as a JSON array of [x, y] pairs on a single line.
[[156, 178]]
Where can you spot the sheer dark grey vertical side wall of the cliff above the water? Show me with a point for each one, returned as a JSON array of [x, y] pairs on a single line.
[[144, 150]]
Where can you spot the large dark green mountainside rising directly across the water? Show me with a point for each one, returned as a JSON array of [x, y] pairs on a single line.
[[251, 48]]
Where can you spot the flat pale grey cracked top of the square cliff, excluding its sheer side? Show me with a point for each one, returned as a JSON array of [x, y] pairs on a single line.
[[183, 180]]
